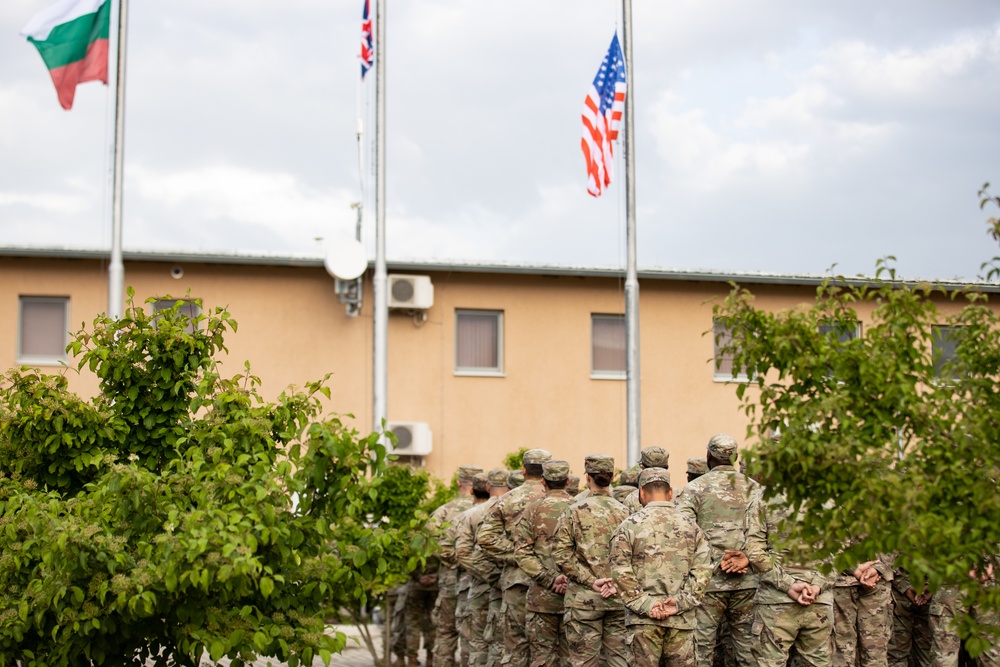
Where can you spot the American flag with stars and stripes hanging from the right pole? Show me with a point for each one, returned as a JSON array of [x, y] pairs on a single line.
[[602, 118]]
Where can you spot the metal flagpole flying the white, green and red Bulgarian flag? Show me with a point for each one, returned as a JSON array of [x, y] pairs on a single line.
[[116, 267]]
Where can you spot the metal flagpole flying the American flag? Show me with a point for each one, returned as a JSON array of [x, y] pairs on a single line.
[[632, 367]]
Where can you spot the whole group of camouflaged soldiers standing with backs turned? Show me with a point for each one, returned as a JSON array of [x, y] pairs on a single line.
[[532, 571]]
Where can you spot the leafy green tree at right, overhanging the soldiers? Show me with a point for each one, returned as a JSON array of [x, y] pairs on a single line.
[[886, 445]]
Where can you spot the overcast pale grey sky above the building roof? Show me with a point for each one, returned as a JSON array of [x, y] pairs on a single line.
[[775, 135]]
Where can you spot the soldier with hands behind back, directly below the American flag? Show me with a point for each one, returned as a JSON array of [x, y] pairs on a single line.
[[594, 617]]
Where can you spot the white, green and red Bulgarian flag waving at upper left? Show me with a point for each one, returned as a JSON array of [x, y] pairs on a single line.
[[72, 38]]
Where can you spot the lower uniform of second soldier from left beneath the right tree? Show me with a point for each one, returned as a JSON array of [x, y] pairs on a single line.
[[862, 619]]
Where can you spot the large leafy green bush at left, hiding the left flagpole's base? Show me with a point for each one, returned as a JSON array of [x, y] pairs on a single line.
[[177, 513]]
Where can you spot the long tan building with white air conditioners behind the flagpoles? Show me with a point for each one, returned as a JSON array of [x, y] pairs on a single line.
[[482, 359]]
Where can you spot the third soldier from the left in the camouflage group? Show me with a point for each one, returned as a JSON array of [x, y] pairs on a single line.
[[483, 572]]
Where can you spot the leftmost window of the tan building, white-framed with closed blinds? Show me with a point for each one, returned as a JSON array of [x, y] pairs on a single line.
[[44, 330]]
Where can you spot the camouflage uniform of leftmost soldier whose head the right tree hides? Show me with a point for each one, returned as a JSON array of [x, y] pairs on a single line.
[[780, 622]]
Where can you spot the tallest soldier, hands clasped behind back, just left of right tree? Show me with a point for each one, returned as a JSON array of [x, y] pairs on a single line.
[[717, 502]]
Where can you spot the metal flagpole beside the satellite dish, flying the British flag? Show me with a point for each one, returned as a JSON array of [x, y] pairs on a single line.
[[381, 309]]
